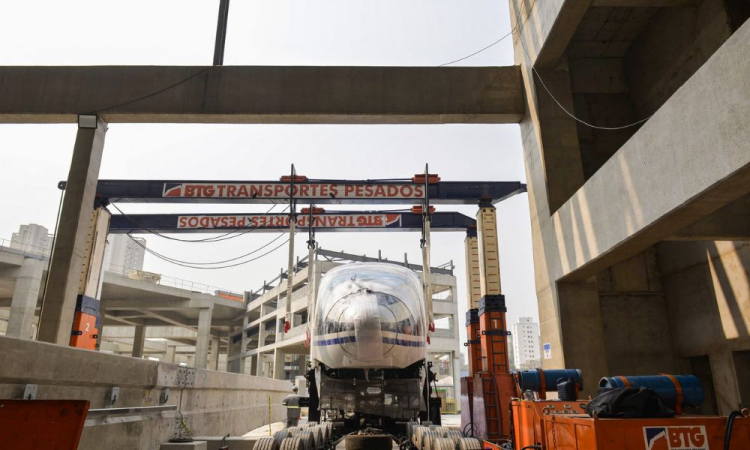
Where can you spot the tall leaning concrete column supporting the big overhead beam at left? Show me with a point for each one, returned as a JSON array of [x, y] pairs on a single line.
[[64, 275]]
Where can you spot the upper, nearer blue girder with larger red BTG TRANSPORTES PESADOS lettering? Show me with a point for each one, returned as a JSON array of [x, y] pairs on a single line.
[[307, 192]]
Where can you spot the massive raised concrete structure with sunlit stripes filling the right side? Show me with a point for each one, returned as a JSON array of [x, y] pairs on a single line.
[[627, 223]]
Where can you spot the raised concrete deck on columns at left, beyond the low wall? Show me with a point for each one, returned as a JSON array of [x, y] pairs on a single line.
[[136, 306]]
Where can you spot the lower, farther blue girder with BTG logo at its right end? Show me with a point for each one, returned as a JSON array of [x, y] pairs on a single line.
[[333, 221]]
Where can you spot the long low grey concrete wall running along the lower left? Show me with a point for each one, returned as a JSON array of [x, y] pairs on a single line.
[[212, 403]]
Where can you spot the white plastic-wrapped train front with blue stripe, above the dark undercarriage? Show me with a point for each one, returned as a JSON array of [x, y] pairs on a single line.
[[369, 316]]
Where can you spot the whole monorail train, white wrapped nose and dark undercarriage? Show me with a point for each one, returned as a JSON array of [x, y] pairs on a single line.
[[368, 344]]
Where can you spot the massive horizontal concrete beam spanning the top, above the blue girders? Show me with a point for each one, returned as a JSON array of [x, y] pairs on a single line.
[[365, 95]]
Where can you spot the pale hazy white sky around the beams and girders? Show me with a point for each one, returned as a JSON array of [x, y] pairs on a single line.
[[278, 32]]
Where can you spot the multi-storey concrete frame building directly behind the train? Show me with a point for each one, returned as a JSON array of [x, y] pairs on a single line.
[[260, 347]]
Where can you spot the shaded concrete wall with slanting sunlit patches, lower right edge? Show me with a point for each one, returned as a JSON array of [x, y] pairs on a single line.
[[708, 292]]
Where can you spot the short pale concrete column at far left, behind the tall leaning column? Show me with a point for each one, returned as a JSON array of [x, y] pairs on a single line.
[[25, 296]]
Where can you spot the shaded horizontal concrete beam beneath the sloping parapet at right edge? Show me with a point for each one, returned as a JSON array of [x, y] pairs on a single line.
[[730, 223]]
